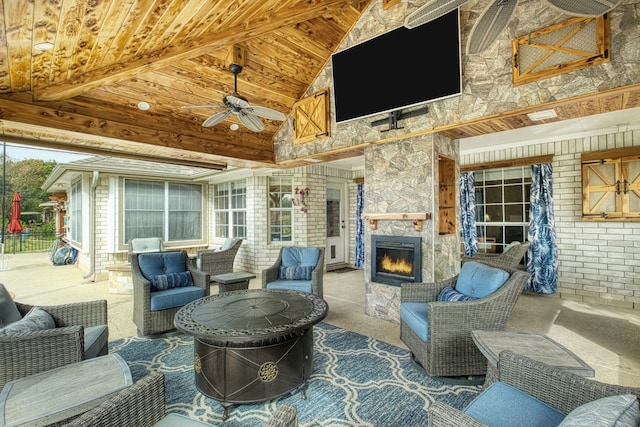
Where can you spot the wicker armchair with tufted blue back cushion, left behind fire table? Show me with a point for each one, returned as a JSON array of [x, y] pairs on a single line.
[[154, 307]]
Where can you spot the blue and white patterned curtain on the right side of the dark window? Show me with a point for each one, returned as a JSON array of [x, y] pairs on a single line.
[[543, 259]]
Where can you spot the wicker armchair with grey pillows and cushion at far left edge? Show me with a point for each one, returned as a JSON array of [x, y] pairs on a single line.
[[77, 331]]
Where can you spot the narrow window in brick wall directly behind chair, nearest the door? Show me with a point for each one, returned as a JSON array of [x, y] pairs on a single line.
[[280, 209]]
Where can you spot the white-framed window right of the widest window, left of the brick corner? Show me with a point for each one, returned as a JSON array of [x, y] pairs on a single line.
[[230, 206]]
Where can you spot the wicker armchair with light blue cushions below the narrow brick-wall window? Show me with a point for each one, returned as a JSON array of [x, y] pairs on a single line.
[[271, 276]]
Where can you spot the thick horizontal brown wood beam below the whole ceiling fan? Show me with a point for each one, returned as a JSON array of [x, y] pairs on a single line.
[[14, 109]]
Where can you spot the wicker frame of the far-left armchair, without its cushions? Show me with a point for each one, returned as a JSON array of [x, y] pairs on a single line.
[[30, 353]]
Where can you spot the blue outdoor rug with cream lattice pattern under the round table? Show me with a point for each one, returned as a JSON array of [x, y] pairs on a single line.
[[356, 381]]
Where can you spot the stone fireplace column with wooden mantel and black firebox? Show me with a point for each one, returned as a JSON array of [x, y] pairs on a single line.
[[402, 180]]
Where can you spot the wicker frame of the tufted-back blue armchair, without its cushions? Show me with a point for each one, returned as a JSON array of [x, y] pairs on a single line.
[[151, 322]]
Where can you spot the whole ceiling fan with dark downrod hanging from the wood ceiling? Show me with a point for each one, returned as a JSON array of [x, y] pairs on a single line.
[[249, 115]]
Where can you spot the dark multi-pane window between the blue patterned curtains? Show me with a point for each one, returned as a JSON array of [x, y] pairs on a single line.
[[502, 207]]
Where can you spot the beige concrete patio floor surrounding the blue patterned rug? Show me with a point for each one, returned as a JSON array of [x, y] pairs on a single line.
[[605, 337]]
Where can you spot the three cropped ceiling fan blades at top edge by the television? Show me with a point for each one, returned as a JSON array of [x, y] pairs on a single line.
[[497, 14]]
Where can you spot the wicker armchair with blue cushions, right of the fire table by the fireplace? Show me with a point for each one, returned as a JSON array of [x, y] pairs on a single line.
[[438, 332]]
